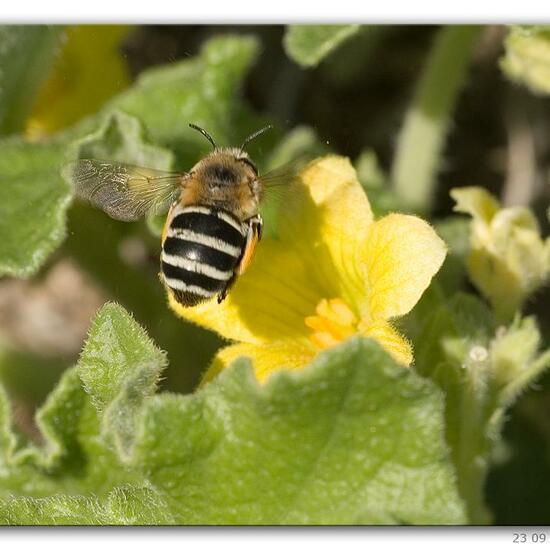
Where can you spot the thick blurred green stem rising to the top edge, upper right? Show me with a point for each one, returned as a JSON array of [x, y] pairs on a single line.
[[422, 136]]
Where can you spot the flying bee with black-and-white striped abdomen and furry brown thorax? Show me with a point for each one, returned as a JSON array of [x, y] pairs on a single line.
[[212, 227]]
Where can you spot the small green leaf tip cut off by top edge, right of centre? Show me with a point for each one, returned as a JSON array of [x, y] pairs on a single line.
[[308, 45]]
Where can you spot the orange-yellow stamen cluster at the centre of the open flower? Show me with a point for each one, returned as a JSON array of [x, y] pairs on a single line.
[[333, 323]]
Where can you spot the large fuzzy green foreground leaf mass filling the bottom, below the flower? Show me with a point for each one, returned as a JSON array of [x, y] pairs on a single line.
[[353, 438]]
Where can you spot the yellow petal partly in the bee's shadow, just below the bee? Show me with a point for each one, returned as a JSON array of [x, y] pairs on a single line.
[[268, 302]]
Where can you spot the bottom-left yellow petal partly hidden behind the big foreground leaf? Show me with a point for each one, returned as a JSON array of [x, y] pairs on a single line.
[[266, 358]]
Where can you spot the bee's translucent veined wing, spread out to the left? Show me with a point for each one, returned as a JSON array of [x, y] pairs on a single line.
[[124, 191]]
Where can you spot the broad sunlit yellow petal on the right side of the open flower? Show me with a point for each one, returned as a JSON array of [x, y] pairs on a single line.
[[401, 255]]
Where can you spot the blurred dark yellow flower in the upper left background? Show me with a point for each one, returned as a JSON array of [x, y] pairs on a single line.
[[89, 70]]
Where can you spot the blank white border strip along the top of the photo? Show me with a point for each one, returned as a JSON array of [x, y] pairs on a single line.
[[274, 11]]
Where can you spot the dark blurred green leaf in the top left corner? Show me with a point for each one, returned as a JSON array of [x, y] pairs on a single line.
[[26, 58]]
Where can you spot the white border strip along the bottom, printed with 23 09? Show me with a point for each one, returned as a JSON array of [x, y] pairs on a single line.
[[319, 538]]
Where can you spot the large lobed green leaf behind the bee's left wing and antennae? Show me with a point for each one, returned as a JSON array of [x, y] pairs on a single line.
[[33, 196]]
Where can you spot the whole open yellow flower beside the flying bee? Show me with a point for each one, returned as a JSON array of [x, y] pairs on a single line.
[[333, 272]]
